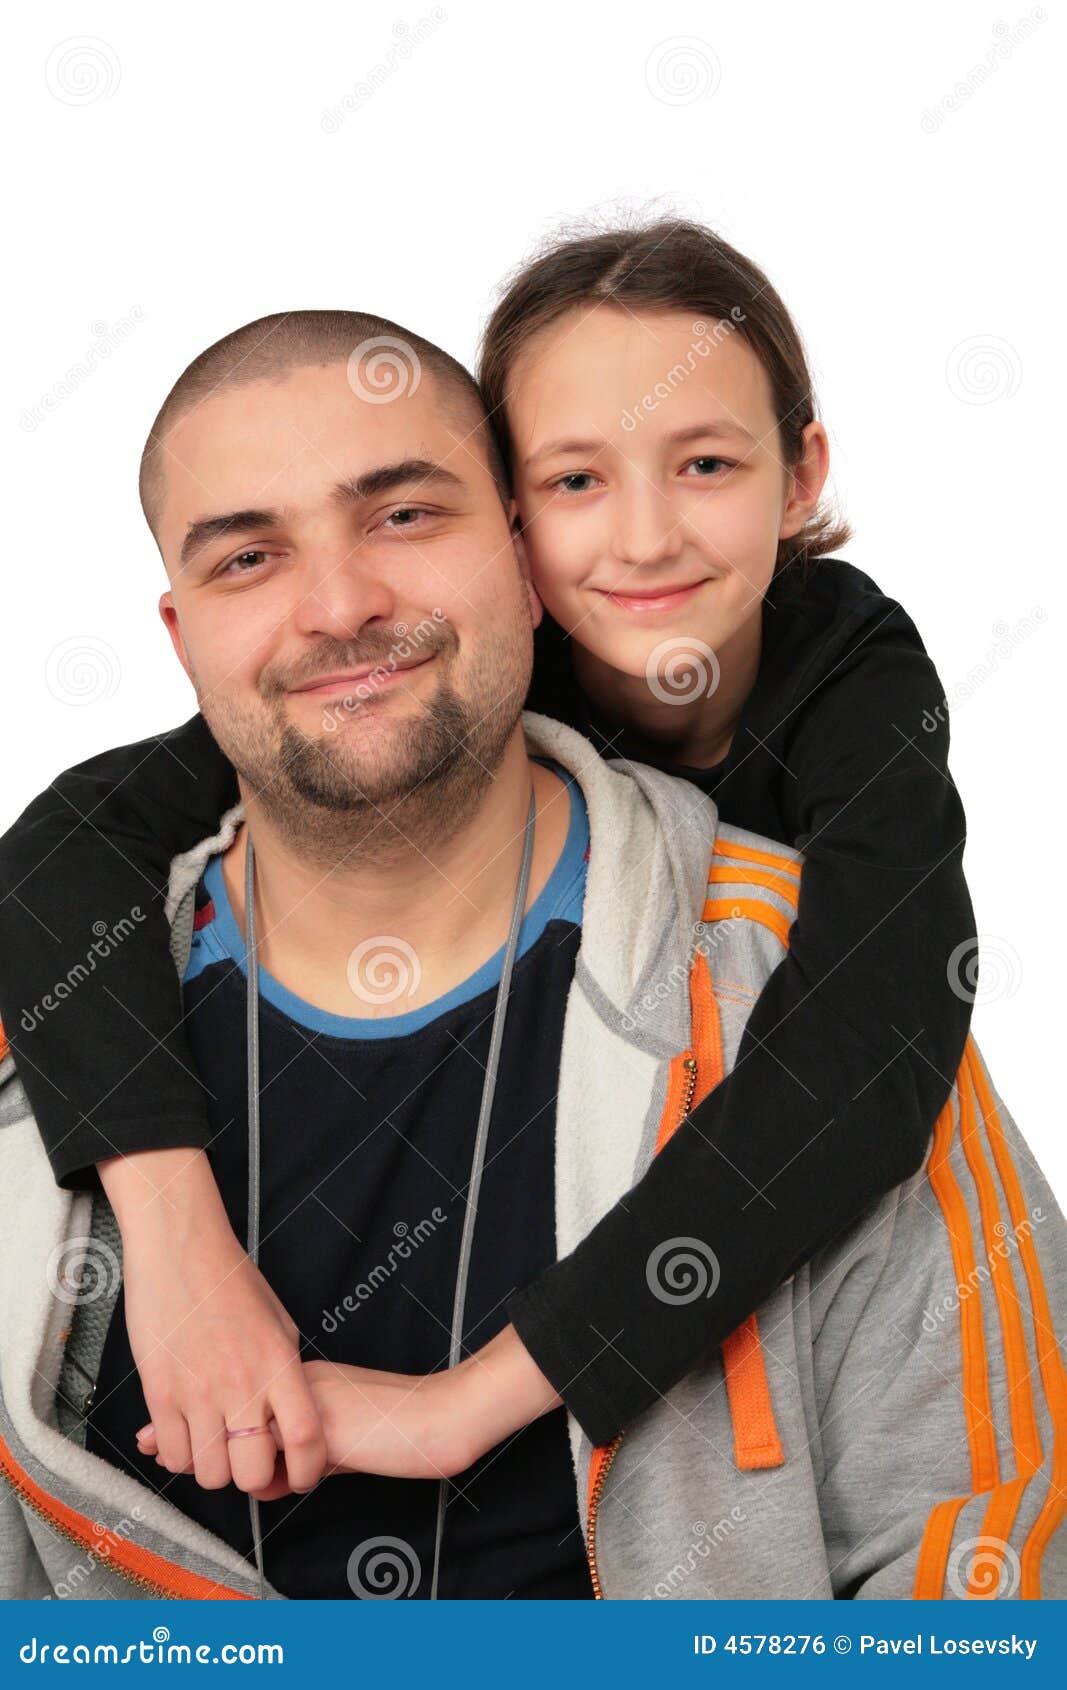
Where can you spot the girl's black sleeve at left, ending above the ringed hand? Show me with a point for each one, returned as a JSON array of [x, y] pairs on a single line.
[[89, 995]]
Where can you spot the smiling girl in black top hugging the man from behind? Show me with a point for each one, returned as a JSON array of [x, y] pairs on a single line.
[[655, 405]]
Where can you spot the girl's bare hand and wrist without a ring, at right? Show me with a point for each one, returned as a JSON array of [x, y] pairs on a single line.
[[417, 1426]]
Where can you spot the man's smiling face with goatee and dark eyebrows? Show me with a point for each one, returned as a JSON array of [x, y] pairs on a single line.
[[344, 589]]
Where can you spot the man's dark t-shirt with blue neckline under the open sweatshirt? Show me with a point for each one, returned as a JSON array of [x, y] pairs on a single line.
[[368, 1131]]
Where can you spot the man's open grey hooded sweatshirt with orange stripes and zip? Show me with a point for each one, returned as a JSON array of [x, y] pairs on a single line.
[[890, 1424]]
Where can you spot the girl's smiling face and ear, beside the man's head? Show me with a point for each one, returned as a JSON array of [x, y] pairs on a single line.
[[650, 482]]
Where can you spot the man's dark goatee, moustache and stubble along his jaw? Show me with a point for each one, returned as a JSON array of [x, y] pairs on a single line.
[[368, 792]]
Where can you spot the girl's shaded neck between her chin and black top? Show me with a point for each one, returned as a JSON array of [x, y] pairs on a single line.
[[698, 733]]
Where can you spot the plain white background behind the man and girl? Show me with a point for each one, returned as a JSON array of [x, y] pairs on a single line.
[[177, 173]]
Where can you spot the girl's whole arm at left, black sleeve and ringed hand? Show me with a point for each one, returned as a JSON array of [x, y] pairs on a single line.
[[92, 1005]]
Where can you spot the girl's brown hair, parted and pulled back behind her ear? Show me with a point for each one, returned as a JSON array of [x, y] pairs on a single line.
[[665, 266]]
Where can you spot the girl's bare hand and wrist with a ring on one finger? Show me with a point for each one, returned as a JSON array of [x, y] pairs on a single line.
[[214, 1346]]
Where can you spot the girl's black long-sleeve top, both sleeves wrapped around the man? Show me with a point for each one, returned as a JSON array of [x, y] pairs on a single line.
[[845, 1066]]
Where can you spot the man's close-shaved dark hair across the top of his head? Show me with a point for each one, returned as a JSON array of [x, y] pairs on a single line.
[[391, 361]]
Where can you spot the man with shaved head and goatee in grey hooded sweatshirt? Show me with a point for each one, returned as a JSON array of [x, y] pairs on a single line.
[[878, 1420]]
